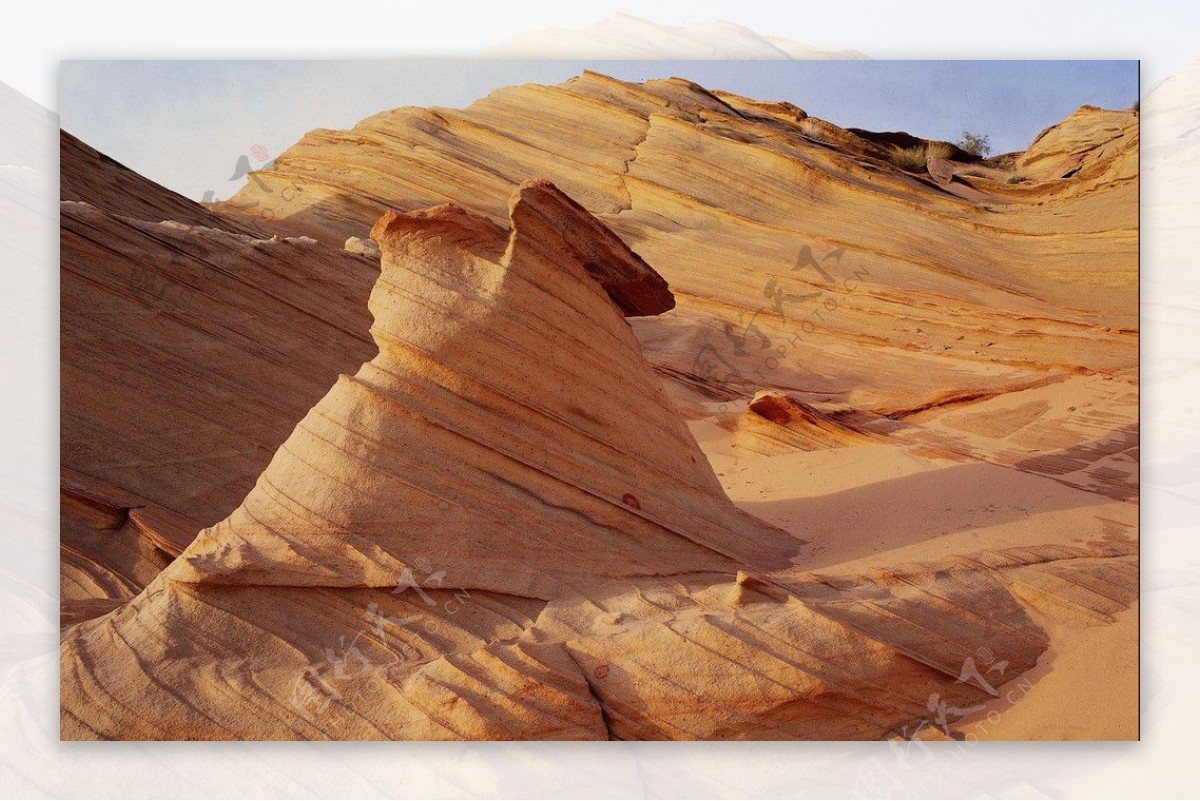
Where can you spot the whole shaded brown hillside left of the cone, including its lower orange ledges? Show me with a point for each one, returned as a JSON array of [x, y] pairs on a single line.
[[189, 351]]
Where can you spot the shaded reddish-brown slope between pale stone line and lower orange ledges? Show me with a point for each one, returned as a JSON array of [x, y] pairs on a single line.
[[173, 341]]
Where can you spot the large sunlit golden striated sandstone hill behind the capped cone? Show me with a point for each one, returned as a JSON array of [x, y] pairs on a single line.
[[791, 244]]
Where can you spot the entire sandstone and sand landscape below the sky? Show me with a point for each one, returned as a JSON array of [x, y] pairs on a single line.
[[661, 413]]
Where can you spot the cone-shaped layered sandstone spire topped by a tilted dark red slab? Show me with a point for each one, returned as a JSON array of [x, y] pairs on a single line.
[[509, 429]]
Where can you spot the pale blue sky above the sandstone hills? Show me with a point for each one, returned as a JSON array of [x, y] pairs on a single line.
[[185, 124]]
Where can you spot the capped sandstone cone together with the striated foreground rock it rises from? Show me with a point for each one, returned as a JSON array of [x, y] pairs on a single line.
[[500, 529]]
